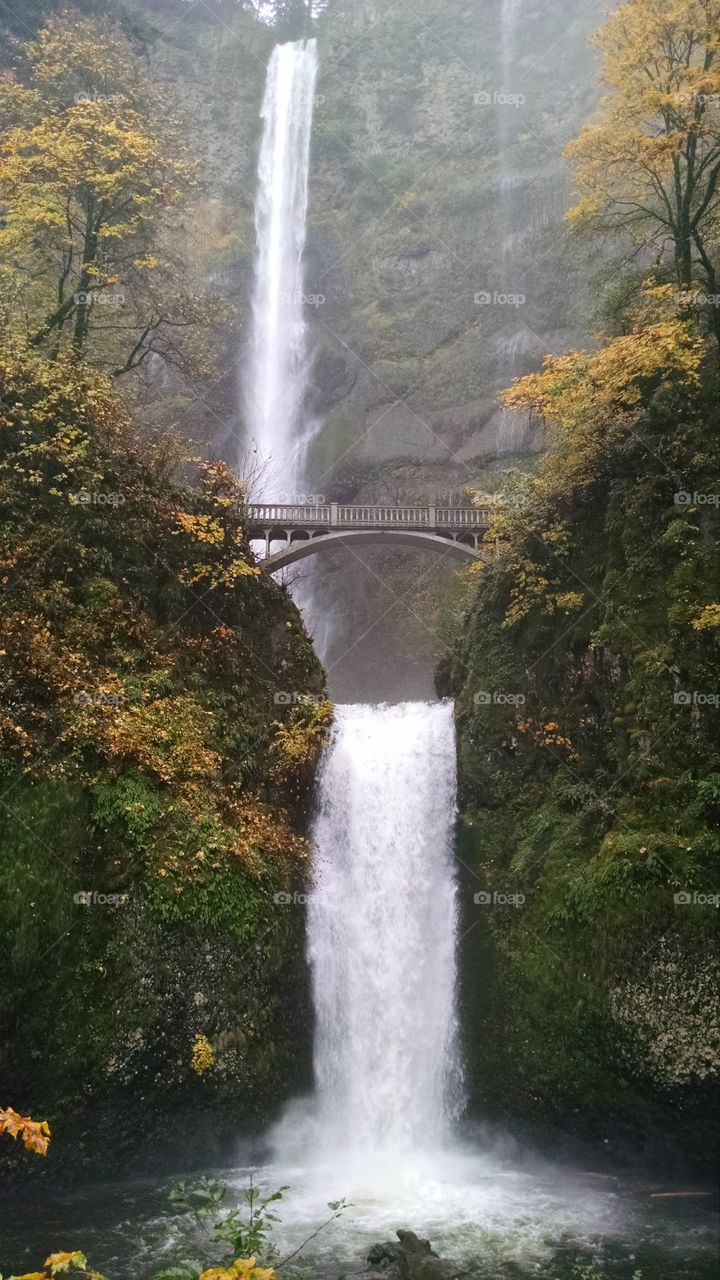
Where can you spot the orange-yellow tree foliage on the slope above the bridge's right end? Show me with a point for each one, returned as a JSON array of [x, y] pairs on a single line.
[[594, 406]]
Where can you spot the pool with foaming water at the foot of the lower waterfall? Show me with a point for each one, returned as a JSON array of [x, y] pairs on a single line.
[[508, 1218]]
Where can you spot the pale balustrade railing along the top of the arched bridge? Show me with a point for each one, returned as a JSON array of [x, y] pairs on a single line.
[[366, 516]]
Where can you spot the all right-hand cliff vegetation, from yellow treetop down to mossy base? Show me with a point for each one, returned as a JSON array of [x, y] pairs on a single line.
[[586, 674]]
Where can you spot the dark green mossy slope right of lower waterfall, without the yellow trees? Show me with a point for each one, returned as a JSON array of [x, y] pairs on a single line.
[[596, 799]]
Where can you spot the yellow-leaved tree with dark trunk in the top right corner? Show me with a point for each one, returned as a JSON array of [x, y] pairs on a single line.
[[650, 163]]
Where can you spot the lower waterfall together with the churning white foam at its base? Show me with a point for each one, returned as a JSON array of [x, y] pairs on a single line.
[[382, 940]]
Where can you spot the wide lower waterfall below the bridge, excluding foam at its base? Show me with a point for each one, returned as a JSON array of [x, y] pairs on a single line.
[[382, 931]]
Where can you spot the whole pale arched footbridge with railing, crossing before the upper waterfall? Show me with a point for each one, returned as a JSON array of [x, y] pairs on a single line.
[[304, 531]]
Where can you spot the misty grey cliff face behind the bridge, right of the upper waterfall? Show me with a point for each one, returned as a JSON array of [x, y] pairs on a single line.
[[440, 268]]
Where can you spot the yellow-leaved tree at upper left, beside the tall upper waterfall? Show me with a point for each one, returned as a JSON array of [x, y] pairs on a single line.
[[94, 177]]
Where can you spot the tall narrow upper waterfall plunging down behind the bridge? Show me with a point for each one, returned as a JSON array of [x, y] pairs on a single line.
[[276, 378]]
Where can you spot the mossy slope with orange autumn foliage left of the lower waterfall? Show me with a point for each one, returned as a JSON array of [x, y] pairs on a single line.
[[162, 714]]
